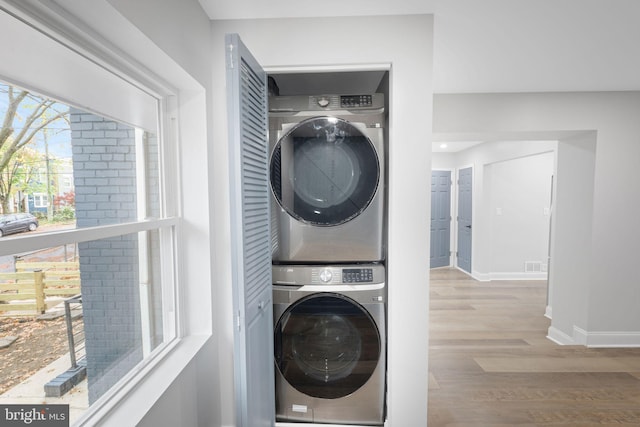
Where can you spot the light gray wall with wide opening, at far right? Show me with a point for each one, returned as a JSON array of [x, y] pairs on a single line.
[[595, 293]]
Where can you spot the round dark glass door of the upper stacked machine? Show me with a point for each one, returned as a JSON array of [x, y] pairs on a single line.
[[324, 171]]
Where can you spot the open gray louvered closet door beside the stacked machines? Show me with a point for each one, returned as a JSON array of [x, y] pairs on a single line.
[[250, 237]]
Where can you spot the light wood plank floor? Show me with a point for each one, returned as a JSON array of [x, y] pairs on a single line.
[[491, 364]]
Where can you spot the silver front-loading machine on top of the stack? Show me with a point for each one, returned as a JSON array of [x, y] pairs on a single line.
[[327, 170]]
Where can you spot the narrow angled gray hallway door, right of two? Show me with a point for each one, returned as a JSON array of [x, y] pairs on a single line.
[[465, 197]]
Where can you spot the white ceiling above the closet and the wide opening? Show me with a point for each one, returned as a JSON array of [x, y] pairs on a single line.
[[499, 45]]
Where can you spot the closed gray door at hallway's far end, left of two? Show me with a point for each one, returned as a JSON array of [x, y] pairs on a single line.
[[440, 218]]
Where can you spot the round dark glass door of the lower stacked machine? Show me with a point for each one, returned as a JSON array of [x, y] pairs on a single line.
[[326, 345]]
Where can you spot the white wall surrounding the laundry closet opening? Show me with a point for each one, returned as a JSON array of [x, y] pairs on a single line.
[[372, 41]]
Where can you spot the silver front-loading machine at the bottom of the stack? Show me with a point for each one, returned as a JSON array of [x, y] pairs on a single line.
[[329, 344]]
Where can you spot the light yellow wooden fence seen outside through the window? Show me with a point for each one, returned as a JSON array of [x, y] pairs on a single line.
[[34, 282]]
